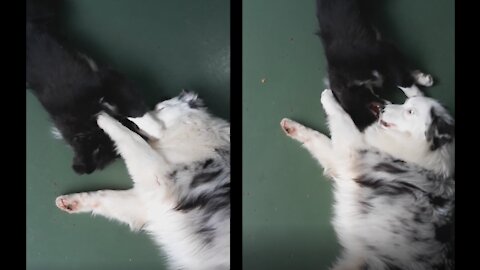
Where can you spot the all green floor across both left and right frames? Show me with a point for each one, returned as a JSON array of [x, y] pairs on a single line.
[[165, 46]]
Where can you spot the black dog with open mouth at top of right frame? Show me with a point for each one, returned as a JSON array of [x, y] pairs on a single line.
[[360, 63]]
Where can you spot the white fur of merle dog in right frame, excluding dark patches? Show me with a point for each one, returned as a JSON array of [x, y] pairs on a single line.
[[339, 156]]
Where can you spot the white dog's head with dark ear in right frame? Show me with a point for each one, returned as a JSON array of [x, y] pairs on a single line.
[[419, 117]]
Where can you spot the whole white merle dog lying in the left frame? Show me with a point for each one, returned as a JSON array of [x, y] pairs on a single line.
[[181, 193]]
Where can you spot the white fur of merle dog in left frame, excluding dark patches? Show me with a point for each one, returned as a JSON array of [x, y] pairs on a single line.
[[184, 136]]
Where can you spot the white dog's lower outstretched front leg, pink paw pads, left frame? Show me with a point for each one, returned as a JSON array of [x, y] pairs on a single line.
[[121, 205]]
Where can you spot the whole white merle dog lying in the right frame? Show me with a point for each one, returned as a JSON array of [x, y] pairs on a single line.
[[394, 183]]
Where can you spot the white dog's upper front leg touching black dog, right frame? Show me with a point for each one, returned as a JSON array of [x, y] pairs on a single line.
[[344, 134]]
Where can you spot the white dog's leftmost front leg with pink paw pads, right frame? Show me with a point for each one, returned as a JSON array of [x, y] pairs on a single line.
[[315, 142]]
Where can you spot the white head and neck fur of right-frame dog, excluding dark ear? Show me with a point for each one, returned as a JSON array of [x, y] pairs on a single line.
[[405, 136]]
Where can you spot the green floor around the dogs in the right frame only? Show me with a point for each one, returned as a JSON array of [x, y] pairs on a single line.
[[286, 200]]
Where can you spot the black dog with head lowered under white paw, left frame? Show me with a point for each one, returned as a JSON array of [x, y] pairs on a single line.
[[73, 89]]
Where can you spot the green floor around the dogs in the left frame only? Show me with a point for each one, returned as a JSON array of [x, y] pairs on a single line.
[[163, 46]]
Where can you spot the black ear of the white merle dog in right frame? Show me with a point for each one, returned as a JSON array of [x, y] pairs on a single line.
[[441, 130]]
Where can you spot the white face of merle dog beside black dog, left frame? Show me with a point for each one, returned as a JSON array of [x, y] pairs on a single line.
[[170, 111]]
